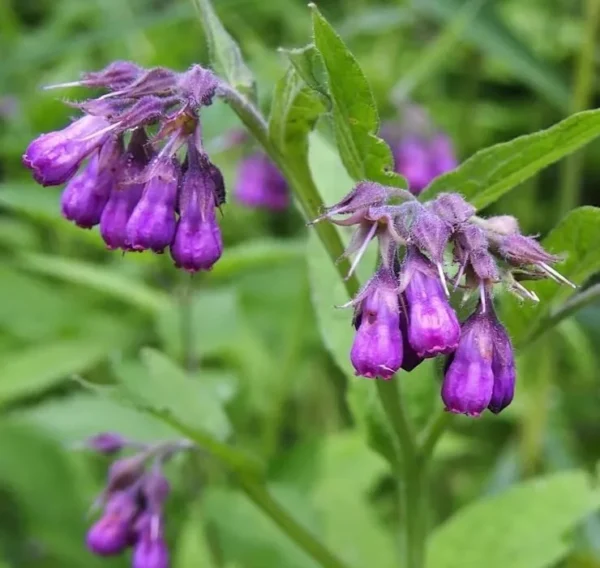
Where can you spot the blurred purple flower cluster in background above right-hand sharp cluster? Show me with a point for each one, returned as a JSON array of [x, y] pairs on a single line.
[[421, 153]]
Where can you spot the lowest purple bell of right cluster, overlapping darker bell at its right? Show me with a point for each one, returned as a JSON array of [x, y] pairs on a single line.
[[469, 378]]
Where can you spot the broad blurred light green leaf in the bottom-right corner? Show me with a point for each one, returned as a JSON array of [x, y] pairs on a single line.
[[521, 528]]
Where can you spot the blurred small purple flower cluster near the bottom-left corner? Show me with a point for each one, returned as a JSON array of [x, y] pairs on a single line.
[[132, 502]]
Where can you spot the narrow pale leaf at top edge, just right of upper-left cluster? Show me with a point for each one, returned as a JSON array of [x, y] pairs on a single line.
[[225, 53]]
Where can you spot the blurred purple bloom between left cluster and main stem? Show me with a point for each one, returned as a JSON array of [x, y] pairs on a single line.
[[260, 184]]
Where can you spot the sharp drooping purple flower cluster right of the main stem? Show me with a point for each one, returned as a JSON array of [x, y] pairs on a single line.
[[403, 314]]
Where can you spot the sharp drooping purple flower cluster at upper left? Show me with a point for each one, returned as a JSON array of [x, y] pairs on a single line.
[[123, 166]]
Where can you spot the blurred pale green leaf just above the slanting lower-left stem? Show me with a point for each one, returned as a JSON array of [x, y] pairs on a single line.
[[161, 386]]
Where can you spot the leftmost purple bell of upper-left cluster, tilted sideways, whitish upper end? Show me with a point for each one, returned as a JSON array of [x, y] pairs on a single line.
[[55, 157]]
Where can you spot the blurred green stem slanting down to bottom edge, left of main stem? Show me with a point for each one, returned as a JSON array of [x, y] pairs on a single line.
[[261, 497]]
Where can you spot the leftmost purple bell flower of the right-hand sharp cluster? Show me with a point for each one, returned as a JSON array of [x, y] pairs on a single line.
[[377, 347]]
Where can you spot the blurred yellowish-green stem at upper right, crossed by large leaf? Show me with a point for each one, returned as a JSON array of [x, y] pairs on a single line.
[[582, 93]]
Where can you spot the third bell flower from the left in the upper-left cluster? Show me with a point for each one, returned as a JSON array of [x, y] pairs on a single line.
[[125, 193]]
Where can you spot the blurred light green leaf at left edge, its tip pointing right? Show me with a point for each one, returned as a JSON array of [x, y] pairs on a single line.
[[33, 370]]
